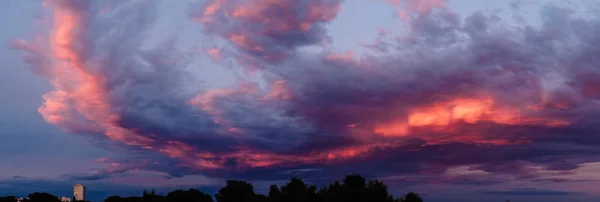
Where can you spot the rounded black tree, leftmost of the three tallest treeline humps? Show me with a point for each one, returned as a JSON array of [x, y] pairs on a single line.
[[236, 191]]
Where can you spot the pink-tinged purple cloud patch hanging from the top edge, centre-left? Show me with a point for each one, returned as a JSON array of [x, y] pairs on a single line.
[[266, 30]]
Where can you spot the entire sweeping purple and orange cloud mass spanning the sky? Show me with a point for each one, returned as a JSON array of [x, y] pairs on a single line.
[[451, 92]]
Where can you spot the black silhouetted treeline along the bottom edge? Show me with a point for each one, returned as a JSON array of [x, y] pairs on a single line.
[[353, 188]]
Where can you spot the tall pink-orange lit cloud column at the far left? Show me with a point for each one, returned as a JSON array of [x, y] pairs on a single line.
[[75, 83]]
